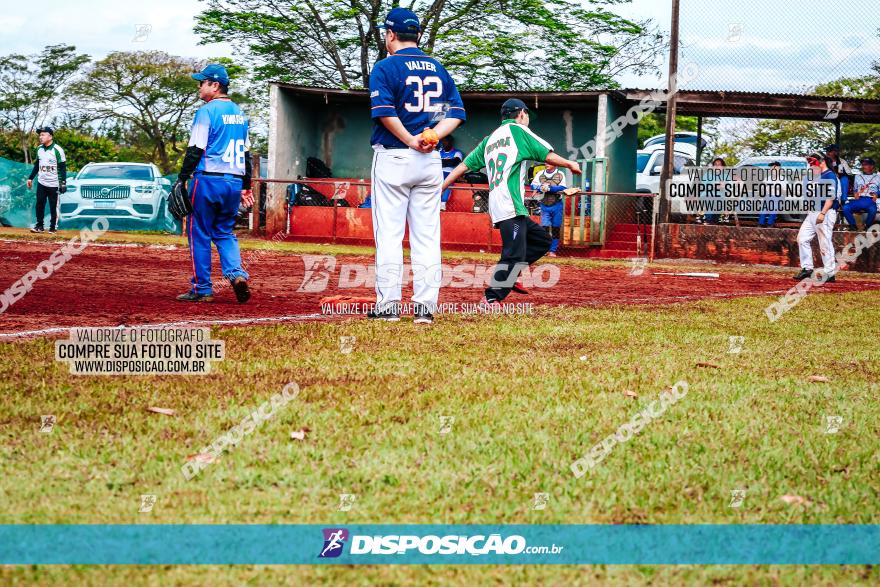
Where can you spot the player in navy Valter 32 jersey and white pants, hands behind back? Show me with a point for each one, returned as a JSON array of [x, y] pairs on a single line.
[[409, 92]]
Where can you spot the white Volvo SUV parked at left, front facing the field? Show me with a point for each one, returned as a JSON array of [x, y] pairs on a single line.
[[128, 192]]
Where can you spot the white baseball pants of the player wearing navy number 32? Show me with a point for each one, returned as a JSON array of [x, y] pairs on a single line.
[[406, 190]]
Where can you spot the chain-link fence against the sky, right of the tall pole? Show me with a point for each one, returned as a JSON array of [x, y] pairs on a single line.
[[777, 47]]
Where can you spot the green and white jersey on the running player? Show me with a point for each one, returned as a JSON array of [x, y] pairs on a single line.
[[504, 154]]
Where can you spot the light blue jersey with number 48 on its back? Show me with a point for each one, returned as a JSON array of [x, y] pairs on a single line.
[[221, 130]]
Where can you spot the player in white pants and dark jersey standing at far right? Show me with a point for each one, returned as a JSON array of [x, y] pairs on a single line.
[[821, 224]]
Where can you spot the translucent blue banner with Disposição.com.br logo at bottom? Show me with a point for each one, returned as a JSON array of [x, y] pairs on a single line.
[[439, 544]]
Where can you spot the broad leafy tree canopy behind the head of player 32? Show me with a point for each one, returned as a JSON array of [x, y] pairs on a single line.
[[500, 44]]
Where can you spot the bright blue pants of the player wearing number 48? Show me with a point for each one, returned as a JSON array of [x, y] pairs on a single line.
[[215, 203]]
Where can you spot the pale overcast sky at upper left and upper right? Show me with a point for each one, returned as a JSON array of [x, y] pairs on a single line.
[[776, 45]]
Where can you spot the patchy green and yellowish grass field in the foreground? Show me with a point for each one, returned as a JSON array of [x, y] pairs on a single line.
[[529, 395]]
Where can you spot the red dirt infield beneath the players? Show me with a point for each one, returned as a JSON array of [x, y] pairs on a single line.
[[112, 285]]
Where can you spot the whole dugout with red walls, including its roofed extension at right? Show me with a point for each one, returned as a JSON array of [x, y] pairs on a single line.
[[334, 126]]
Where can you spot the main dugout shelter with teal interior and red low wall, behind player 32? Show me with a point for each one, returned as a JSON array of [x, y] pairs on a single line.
[[335, 126]]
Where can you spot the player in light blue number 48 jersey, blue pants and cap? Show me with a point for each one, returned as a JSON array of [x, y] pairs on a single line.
[[217, 167]]
